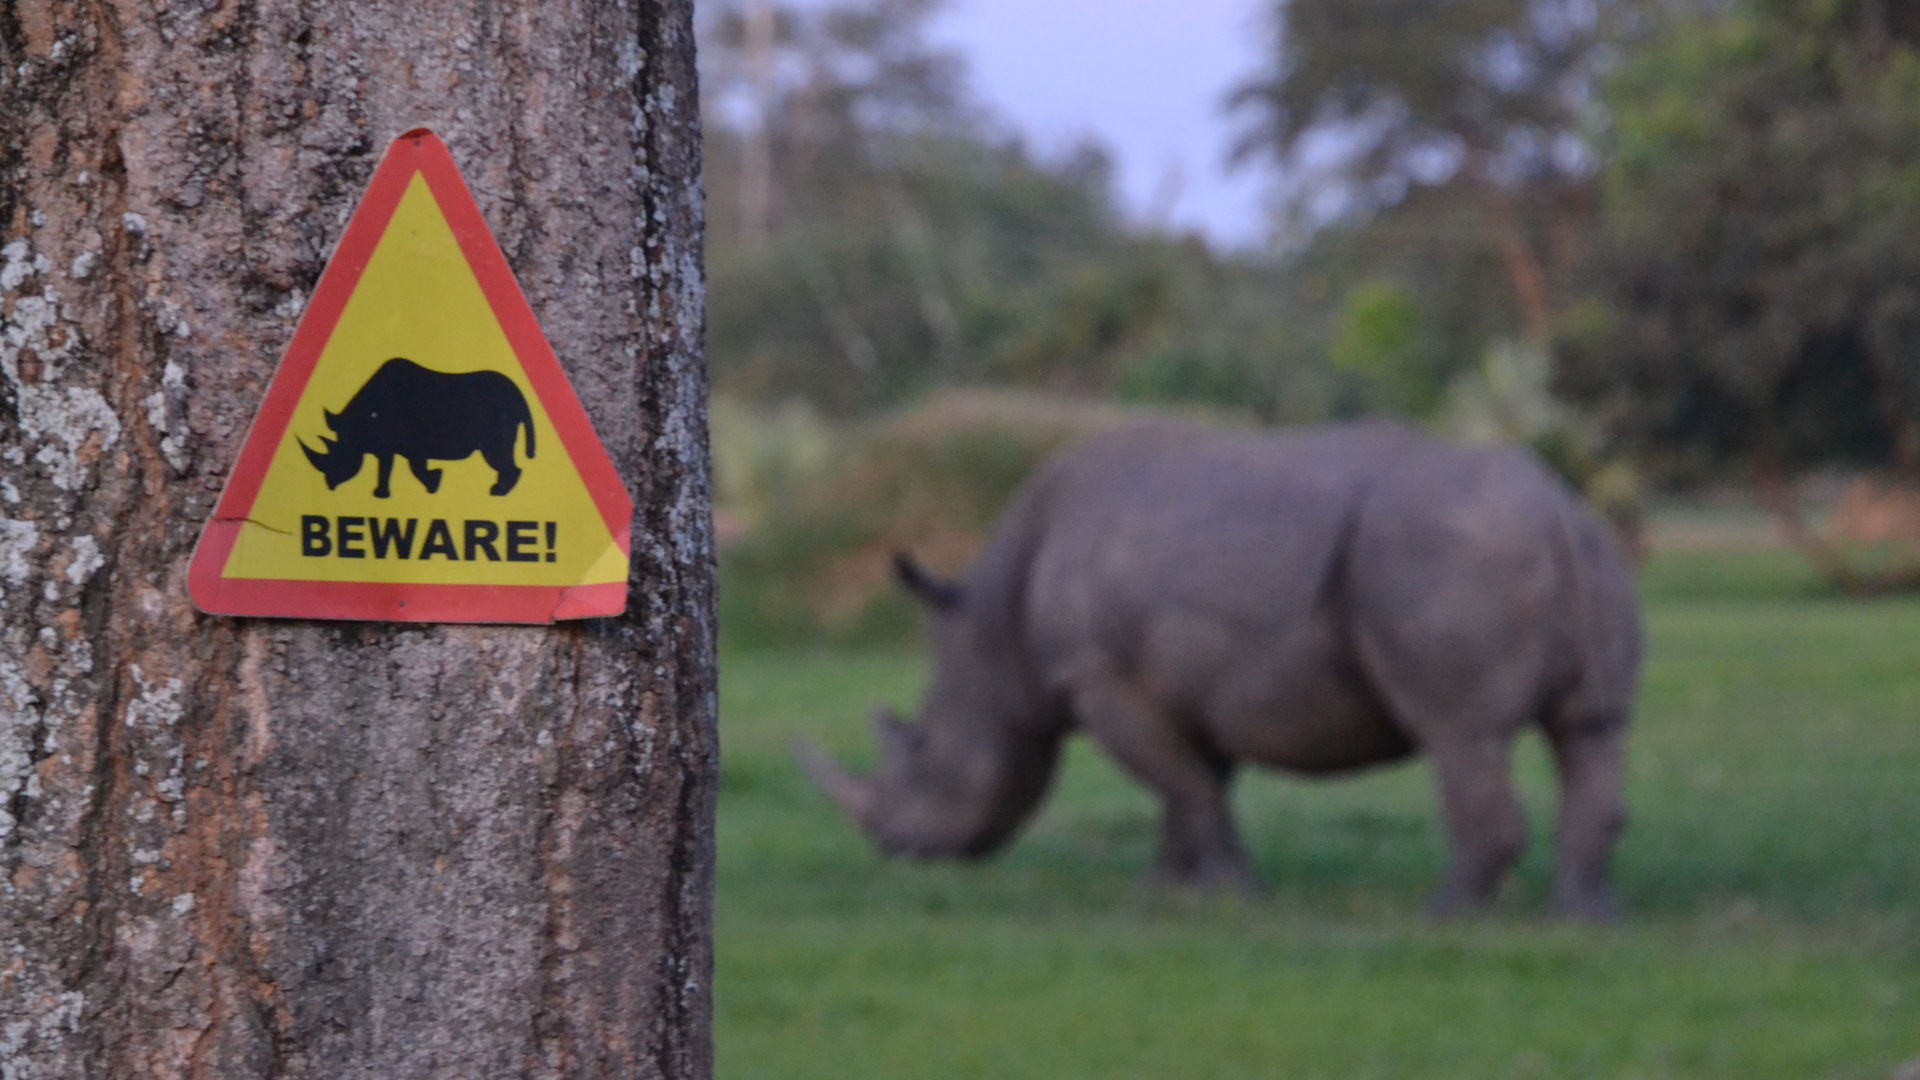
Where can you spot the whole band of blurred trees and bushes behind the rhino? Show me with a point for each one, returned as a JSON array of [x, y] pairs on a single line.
[[1660, 241]]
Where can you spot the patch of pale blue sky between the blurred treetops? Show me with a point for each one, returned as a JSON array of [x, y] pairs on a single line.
[[1145, 78]]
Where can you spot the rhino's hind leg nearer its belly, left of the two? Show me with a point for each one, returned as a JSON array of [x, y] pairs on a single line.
[[1483, 820]]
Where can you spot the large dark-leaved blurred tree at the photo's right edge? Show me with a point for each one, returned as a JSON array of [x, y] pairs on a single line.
[[1758, 285]]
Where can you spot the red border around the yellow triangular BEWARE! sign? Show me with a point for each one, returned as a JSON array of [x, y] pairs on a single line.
[[416, 153]]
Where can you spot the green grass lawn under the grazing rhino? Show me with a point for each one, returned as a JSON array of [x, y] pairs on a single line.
[[1771, 881]]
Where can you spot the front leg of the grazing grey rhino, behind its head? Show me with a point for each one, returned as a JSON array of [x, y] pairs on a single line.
[[1199, 843]]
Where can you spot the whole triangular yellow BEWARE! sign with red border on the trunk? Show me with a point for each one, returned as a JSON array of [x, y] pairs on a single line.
[[420, 454]]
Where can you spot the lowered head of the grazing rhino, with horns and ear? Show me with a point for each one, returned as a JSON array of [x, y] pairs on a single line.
[[978, 760]]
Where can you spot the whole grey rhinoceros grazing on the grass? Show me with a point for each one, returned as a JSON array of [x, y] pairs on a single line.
[[1316, 602]]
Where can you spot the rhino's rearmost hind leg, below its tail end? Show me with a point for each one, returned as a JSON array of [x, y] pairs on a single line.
[[1591, 822]]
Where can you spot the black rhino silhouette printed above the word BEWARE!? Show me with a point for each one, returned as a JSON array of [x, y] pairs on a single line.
[[420, 414]]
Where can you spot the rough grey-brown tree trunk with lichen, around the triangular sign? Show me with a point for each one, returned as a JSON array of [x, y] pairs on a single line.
[[285, 850]]
